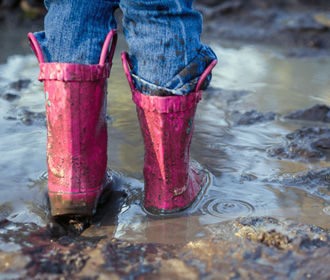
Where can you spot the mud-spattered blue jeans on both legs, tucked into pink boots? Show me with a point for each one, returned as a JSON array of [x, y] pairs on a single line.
[[163, 37]]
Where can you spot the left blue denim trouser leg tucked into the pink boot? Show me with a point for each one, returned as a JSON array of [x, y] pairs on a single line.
[[75, 30]]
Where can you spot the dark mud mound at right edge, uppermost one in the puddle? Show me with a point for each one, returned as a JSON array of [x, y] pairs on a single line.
[[318, 112]]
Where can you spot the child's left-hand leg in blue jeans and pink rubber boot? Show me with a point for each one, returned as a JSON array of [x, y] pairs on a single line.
[[74, 69]]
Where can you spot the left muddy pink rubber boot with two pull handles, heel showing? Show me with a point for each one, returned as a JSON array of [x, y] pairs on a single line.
[[76, 130]]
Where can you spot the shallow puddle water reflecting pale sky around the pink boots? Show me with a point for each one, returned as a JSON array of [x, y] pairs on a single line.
[[236, 156]]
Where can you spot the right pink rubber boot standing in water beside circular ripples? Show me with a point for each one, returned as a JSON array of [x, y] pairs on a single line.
[[171, 182]]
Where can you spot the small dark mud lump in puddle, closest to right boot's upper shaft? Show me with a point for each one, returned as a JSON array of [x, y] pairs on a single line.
[[252, 117]]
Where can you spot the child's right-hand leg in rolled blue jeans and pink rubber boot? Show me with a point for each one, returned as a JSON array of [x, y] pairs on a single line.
[[167, 58]]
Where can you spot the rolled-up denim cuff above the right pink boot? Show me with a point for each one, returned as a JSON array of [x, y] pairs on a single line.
[[182, 83]]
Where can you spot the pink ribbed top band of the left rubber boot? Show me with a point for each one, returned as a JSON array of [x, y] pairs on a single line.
[[73, 72]]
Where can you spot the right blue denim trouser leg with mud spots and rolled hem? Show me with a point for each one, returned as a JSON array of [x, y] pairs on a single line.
[[164, 41]]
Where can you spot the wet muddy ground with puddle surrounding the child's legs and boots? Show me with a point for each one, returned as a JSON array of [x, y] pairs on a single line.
[[232, 236]]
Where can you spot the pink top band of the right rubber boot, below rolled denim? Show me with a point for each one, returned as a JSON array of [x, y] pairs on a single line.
[[166, 104]]
